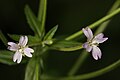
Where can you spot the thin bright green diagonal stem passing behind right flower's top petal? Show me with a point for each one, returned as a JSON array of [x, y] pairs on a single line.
[[95, 24]]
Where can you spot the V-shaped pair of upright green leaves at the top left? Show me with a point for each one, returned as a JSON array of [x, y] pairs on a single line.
[[37, 24]]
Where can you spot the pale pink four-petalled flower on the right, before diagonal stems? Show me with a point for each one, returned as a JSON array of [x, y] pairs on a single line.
[[93, 42]]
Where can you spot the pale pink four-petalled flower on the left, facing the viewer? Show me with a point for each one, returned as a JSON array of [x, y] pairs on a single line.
[[20, 49]]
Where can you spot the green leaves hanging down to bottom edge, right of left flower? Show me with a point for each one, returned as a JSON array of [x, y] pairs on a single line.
[[33, 69]]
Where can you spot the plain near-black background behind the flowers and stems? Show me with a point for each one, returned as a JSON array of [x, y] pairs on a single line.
[[71, 16]]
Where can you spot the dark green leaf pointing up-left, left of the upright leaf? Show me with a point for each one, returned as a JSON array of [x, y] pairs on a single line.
[[32, 21]]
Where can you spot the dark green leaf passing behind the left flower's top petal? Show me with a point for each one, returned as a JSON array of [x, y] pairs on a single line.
[[32, 39]]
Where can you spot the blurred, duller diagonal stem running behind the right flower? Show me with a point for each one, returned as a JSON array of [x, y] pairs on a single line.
[[84, 54]]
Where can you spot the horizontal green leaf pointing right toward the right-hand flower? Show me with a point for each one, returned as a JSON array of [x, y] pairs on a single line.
[[66, 45]]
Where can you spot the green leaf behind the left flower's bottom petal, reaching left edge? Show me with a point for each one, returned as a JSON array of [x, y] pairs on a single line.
[[6, 57]]
